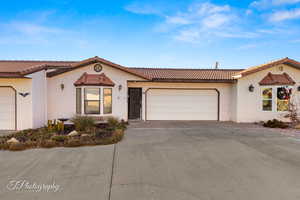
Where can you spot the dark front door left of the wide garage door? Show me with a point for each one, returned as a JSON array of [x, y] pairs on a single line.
[[134, 103]]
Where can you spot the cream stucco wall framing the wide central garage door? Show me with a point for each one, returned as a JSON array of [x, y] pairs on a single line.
[[225, 90]]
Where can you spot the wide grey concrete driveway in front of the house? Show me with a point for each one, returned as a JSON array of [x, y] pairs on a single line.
[[165, 160]]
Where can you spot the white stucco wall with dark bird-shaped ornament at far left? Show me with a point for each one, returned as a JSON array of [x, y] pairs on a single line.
[[24, 104]]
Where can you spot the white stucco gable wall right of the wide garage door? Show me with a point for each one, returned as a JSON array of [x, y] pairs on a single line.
[[249, 104]]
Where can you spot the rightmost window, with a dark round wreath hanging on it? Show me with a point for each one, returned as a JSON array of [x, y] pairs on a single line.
[[283, 98]]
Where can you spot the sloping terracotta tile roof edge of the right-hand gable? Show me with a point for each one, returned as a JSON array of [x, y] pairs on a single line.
[[258, 68]]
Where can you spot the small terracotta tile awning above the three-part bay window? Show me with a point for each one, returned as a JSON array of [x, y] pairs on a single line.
[[94, 80]]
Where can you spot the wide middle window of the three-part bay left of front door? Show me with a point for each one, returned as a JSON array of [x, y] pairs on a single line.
[[92, 100]]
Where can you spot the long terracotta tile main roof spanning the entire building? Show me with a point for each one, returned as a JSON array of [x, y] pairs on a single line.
[[22, 68]]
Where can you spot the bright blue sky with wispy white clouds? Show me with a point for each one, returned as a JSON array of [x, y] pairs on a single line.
[[152, 33]]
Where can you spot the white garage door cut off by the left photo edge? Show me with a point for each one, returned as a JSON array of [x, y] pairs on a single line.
[[7, 108]]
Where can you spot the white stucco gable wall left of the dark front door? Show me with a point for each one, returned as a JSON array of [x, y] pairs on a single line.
[[62, 103]]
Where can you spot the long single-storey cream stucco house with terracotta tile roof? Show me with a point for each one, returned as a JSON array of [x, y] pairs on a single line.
[[32, 92]]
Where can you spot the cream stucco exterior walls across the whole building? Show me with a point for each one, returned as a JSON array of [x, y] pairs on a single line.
[[48, 100]]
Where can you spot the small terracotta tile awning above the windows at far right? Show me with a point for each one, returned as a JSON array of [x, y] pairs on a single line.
[[277, 79]]
